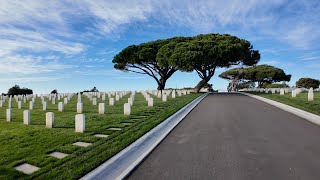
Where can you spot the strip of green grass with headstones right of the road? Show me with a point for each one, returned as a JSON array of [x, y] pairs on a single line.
[[301, 101]]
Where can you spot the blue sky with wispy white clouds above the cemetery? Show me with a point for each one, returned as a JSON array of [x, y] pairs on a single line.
[[69, 45]]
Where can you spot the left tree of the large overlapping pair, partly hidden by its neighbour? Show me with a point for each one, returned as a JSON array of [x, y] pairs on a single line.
[[151, 58]]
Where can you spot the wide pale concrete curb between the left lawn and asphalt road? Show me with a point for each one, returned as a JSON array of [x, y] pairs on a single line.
[[120, 165]]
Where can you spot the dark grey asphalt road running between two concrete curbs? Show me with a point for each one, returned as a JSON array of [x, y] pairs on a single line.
[[232, 136]]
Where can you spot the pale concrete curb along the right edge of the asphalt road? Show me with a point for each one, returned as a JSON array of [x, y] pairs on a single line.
[[301, 113]]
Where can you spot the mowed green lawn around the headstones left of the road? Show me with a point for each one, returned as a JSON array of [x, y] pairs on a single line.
[[32, 143]]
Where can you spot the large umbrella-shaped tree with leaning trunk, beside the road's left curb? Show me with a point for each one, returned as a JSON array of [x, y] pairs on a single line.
[[205, 53]]
